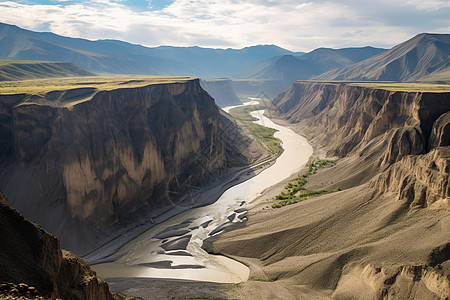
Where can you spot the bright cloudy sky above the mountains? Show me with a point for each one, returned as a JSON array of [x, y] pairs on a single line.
[[294, 25]]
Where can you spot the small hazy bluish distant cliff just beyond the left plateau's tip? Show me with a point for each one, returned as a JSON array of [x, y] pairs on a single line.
[[221, 90]]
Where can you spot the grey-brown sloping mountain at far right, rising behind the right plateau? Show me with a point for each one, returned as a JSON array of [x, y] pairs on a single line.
[[424, 57]]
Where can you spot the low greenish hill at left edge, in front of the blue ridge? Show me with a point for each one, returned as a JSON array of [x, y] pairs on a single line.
[[28, 69]]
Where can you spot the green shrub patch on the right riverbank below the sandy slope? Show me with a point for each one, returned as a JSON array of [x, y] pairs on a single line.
[[294, 191]]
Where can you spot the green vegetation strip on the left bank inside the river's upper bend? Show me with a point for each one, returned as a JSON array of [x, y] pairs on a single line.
[[264, 134]]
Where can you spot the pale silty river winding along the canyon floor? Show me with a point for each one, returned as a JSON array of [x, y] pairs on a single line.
[[172, 249]]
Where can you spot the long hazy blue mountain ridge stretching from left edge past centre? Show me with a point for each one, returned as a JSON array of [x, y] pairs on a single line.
[[112, 56]]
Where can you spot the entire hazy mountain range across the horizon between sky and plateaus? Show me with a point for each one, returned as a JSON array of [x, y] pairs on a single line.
[[425, 57]]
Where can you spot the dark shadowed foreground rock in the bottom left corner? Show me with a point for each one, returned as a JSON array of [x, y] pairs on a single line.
[[34, 258]]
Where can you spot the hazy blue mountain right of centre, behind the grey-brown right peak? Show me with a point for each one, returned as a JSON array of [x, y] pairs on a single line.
[[289, 68]]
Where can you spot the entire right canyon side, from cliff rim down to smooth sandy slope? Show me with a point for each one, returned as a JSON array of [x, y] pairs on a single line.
[[386, 234]]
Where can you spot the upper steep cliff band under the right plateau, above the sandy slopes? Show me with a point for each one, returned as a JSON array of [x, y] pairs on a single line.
[[347, 117]]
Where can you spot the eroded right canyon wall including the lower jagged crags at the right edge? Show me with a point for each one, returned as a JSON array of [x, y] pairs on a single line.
[[403, 134]]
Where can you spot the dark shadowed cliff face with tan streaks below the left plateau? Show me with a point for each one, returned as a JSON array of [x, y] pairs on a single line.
[[78, 167]]
